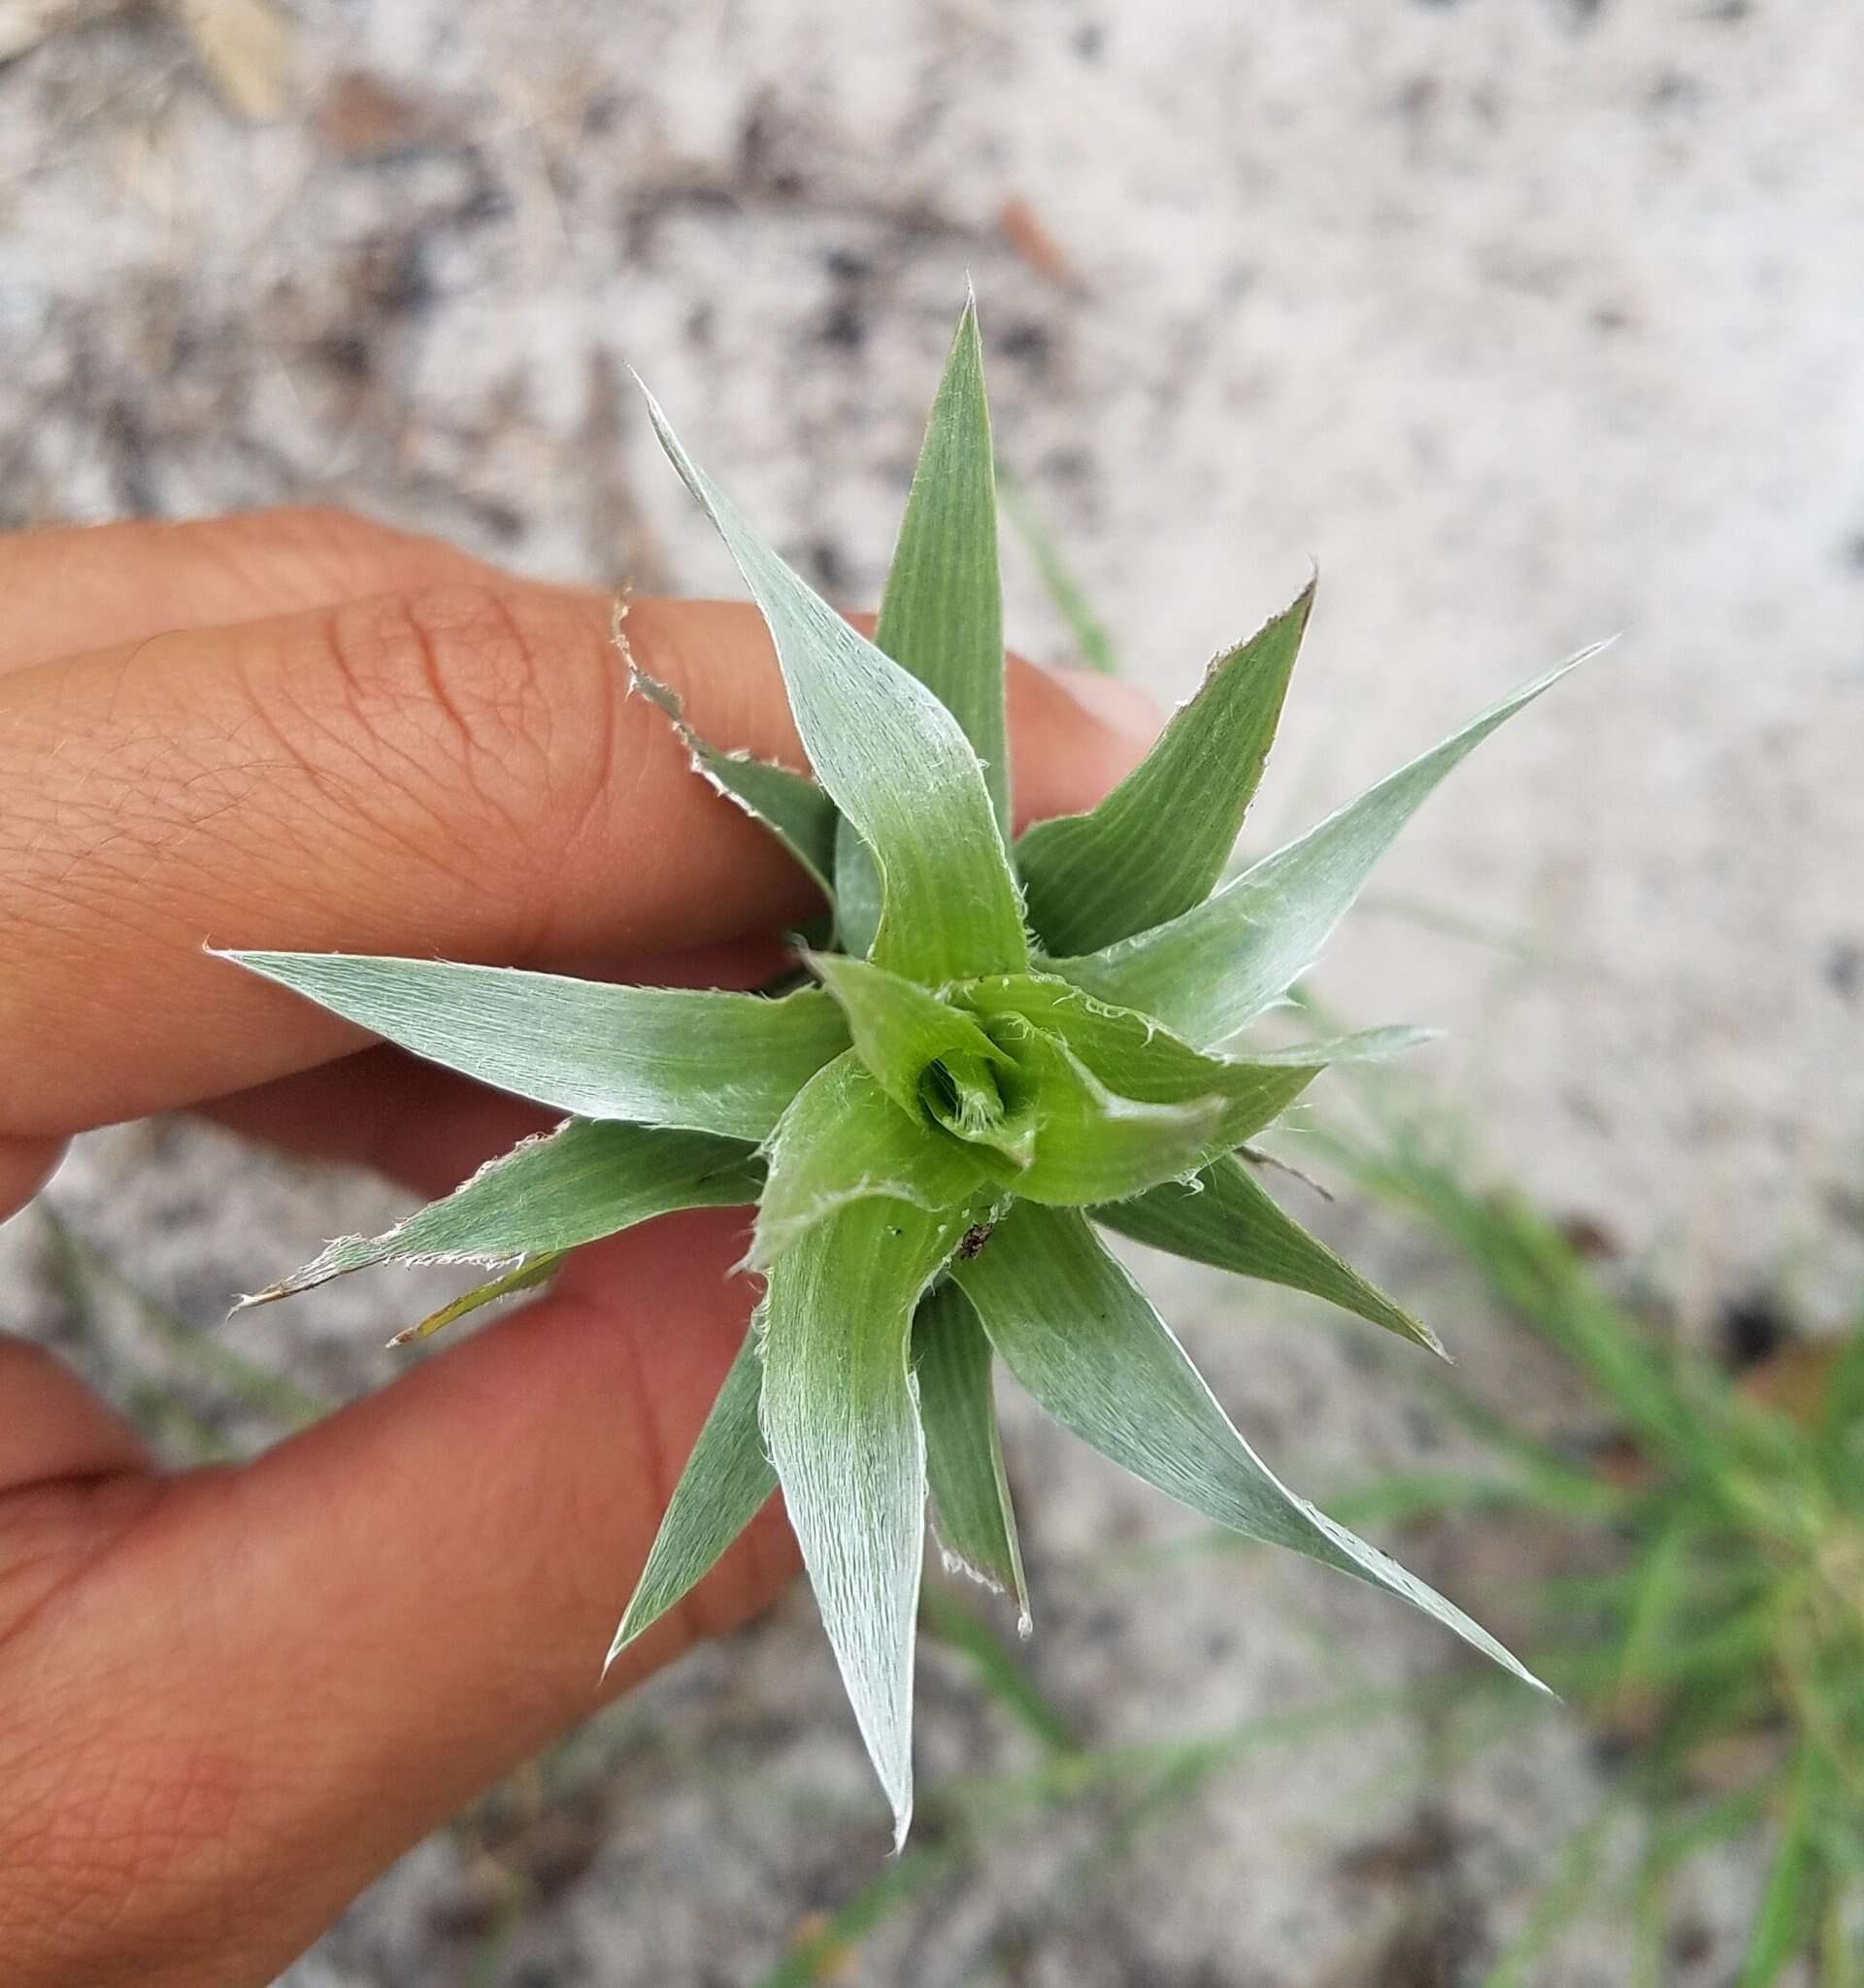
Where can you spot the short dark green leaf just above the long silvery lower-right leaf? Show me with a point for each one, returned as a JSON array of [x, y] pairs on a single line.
[[1229, 1220]]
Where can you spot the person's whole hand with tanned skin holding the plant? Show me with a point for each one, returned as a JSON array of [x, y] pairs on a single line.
[[232, 1697]]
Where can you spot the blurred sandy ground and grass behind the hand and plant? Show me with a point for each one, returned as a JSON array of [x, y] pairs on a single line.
[[1529, 321]]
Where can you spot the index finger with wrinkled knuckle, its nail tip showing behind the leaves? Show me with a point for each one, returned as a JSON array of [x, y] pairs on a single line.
[[456, 772]]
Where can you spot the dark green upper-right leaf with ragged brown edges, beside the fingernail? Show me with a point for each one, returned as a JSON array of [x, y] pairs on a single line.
[[1160, 842]]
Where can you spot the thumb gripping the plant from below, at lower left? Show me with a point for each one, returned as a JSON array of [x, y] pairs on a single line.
[[283, 1677]]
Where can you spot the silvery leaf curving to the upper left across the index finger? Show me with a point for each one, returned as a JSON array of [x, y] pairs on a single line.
[[895, 762]]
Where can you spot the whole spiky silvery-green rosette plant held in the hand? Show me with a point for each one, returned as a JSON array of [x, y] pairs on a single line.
[[991, 1051]]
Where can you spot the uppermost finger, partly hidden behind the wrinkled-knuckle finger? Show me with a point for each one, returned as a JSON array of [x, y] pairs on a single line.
[[78, 587]]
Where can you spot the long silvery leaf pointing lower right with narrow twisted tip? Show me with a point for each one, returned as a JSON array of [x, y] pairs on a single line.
[[1086, 1343]]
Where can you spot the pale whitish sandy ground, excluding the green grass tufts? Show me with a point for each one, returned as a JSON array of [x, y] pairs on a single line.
[[1531, 323]]
